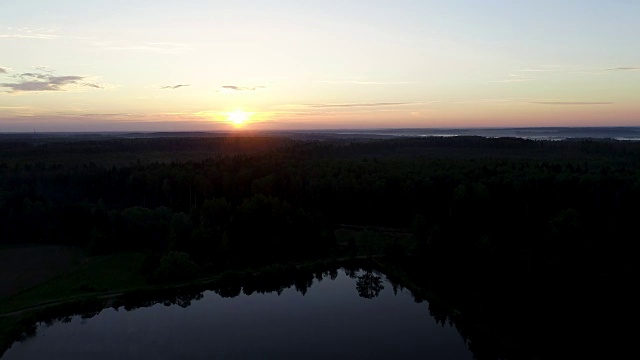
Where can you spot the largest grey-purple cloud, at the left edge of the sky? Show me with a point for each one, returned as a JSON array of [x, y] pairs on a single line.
[[46, 82]]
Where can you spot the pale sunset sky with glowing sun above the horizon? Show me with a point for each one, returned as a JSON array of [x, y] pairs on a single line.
[[93, 65]]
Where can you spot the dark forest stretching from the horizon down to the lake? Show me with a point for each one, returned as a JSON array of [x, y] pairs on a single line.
[[532, 239]]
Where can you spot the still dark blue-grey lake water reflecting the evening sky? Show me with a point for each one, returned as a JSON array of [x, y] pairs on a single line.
[[348, 315]]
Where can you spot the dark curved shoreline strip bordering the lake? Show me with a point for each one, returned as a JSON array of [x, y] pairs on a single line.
[[24, 320]]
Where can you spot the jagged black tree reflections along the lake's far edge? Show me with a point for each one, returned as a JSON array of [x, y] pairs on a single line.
[[369, 283]]
